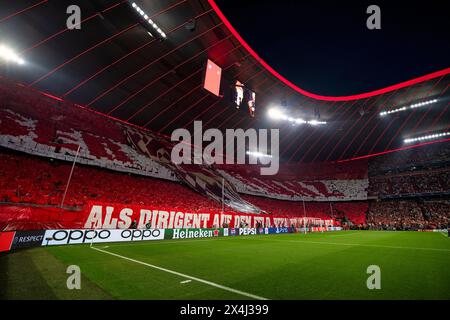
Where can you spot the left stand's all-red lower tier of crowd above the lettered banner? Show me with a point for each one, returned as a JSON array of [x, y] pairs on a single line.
[[33, 180]]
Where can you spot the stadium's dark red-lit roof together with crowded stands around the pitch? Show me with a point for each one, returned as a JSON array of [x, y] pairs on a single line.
[[86, 117]]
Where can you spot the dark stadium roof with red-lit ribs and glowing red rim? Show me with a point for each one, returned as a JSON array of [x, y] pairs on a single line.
[[117, 65]]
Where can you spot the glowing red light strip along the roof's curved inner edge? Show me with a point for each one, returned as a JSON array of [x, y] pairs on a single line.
[[313, 95]]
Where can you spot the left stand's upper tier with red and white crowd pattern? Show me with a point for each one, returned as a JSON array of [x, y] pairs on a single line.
[[39, 125]]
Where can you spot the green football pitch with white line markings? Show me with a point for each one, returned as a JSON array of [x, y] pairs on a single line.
[[413, 265]]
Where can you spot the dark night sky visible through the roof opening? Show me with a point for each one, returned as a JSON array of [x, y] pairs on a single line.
[[325, 46]]
